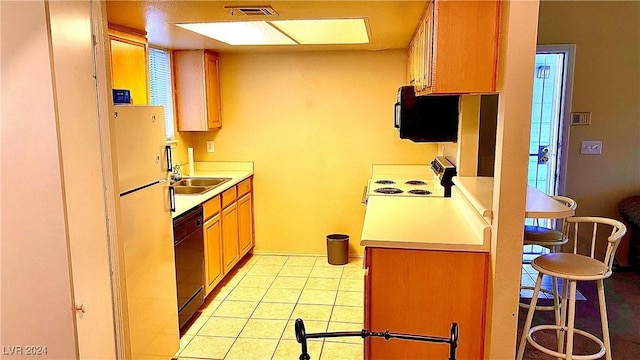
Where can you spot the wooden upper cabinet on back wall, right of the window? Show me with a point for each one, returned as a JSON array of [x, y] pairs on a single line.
[[197, 90]]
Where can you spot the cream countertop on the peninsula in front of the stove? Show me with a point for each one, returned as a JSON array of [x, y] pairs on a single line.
[[424, 223]]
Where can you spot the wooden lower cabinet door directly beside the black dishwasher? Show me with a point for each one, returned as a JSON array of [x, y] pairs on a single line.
[[212, 252]]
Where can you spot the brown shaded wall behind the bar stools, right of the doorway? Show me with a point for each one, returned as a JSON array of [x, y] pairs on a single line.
[[607, 84]]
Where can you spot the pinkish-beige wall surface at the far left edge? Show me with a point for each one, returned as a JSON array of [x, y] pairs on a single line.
[[37, 304]]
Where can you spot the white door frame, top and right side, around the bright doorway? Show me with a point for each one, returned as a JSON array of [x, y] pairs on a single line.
[[569, 51]]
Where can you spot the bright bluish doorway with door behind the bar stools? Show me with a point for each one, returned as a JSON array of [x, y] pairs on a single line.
[[549, 138]]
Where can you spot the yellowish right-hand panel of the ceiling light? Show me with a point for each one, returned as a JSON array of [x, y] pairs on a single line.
[[325, 31]]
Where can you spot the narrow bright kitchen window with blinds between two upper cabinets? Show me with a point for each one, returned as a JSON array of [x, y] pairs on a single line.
[[160, 86]]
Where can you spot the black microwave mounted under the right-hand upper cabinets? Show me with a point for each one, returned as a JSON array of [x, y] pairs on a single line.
[[428, 118]]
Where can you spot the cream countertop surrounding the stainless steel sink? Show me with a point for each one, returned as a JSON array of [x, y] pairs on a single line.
[[237, 171]]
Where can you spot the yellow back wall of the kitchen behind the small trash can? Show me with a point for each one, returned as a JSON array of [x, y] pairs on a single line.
[[314, 123]]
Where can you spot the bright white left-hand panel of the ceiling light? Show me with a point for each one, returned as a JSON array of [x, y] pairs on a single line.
[[241, 32]]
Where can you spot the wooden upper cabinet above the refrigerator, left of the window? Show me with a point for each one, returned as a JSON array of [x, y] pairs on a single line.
[[130, 62]]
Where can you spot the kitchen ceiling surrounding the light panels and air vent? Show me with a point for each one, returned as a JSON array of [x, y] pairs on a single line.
[[391, 23]]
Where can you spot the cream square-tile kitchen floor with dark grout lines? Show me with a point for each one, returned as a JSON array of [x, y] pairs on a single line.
[[251, 314]]
